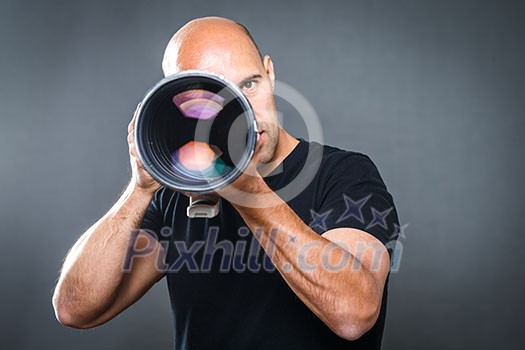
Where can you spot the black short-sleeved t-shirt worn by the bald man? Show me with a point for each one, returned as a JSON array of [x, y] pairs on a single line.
[[226, 294]]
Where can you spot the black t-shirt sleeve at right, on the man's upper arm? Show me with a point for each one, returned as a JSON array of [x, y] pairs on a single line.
[[355, 196]]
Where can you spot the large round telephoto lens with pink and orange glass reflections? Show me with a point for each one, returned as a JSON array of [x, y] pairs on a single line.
[[195, 132]]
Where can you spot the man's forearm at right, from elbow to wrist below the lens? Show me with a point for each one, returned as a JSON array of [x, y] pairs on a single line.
[[347, 298]]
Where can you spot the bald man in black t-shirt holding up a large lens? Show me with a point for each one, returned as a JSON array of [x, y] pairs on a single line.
[[319, 280]]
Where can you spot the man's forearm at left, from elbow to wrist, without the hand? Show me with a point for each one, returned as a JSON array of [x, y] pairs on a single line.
[[92, 271]]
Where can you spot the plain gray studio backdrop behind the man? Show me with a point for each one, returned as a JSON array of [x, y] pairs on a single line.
[[431, 90]]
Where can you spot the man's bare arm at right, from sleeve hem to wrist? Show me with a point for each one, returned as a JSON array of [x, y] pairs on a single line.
[[339, 275]]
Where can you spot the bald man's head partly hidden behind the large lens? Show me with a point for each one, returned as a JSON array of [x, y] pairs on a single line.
[[226, 48]]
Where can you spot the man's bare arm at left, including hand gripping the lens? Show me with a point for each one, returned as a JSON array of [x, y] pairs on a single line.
[[93, 287]]
